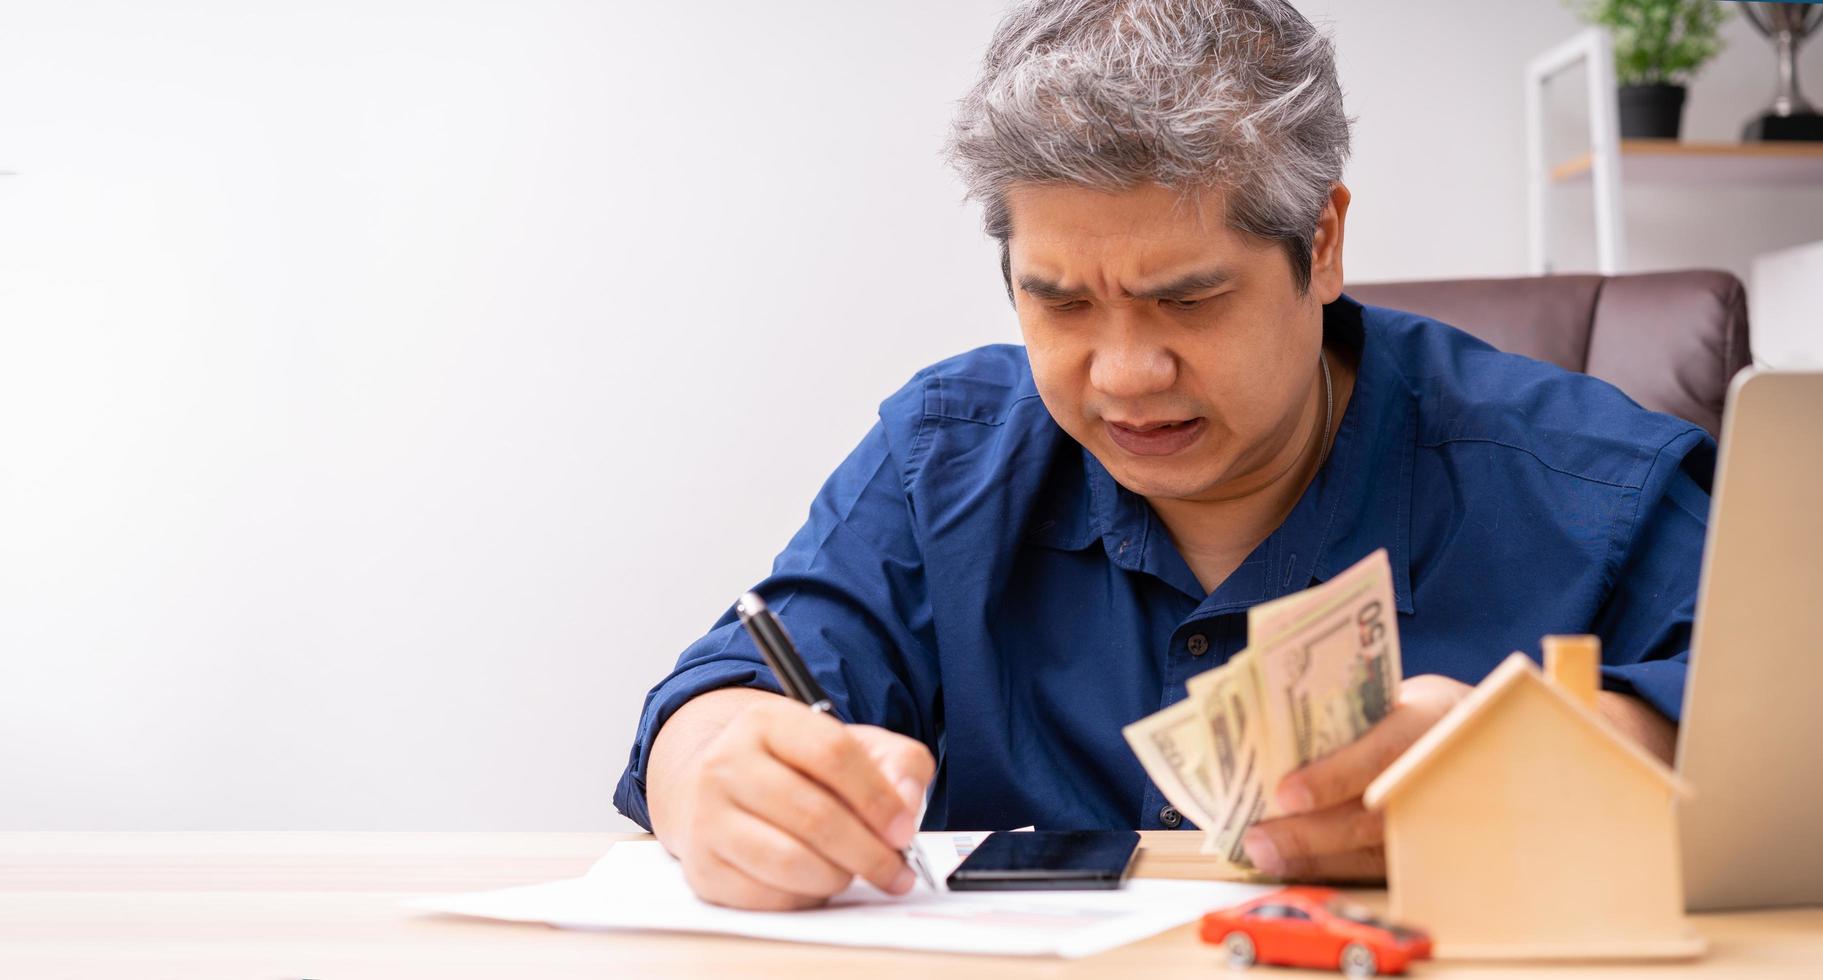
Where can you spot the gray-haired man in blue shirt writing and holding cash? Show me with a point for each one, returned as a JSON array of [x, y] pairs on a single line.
[[1038, 546]]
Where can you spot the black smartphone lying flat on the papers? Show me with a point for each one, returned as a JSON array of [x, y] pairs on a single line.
[[1044, 861]]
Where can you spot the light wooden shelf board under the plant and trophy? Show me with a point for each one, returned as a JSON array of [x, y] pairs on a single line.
[[1707, 163]]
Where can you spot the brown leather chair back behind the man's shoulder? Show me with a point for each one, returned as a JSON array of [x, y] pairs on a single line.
[[1669, 340]]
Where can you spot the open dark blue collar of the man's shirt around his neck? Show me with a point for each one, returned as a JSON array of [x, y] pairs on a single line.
[[1359, 502]]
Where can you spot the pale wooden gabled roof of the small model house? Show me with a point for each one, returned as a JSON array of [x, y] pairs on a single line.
[[1514, 673]]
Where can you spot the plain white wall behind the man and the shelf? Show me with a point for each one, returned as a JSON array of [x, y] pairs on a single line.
[[373, 374]]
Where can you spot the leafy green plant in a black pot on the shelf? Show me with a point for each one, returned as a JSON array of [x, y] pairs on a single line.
[[1658, 46]]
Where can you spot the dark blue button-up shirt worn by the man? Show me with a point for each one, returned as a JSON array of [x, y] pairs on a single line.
[[974, 578]]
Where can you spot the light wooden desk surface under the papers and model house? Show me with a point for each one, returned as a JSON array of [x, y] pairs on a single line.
[[327, 906]]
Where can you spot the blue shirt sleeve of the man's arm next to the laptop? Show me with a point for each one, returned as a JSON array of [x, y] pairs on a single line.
[[1645, 624]]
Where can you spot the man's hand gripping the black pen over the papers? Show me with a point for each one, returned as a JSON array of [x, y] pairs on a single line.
[[774, 806]]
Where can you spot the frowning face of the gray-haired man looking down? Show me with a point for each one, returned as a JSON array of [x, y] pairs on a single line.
[[1177, 351]]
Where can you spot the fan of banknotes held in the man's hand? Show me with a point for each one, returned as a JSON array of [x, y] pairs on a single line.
[[1321, 668]]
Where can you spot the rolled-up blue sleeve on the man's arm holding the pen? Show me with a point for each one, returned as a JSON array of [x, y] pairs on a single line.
[[850, 591]]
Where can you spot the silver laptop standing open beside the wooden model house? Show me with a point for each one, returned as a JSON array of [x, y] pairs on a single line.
[[1751, 742]]
